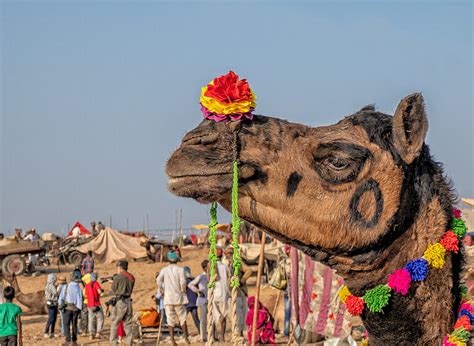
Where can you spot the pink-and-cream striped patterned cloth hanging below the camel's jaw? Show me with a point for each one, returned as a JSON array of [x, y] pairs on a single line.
[[313, 289]]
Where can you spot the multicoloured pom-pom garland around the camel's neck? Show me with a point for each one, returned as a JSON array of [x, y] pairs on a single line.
[[400, 280]]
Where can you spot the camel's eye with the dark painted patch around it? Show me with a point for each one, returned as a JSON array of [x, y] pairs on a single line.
[[339, 162]]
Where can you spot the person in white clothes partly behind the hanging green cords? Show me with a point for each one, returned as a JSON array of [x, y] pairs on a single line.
[[220, 305]]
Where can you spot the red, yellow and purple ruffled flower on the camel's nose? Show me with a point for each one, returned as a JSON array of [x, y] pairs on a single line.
[[227, 98]]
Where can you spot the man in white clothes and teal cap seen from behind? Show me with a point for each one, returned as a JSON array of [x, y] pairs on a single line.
[[172, 283]]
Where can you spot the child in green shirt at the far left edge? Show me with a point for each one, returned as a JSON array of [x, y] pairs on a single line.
[[10, 320]]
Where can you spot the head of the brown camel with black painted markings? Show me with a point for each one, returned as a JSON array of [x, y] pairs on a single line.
[[331, 190]]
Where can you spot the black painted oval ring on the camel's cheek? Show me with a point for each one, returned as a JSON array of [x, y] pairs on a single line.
[[370, 186]]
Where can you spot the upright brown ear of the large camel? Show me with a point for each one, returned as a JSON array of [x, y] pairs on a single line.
[[410, 125]]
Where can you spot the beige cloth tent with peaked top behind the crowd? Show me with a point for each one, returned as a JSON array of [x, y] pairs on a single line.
[[111, 245]]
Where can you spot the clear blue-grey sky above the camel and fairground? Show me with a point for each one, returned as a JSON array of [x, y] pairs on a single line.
[[96, 95]]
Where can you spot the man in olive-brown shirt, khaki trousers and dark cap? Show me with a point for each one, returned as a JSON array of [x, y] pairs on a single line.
[[122, 288]]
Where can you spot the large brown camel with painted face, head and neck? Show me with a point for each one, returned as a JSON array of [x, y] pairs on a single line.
[[363, 196]]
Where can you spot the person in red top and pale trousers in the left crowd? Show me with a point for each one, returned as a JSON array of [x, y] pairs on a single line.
[[94, 308]]
